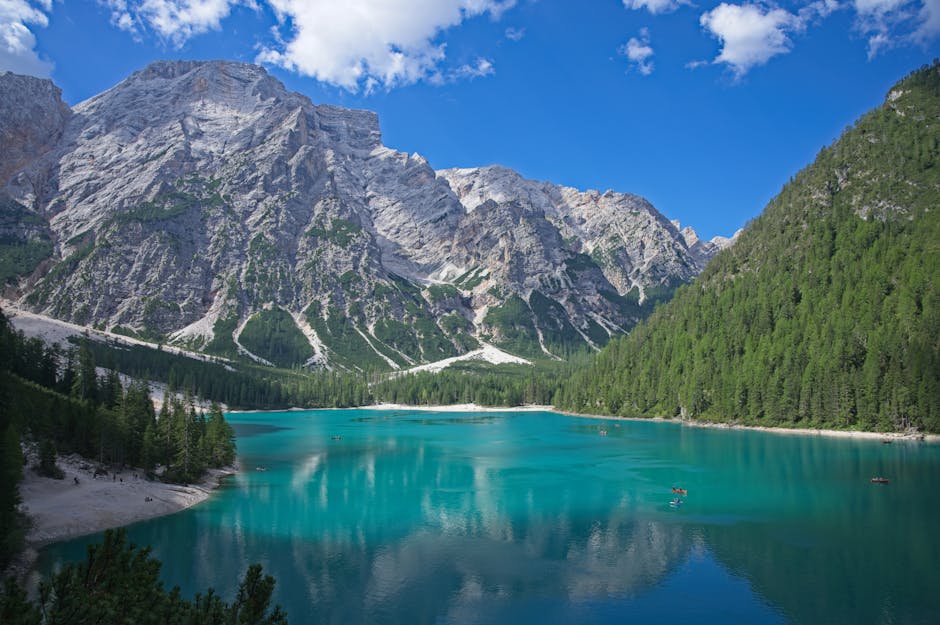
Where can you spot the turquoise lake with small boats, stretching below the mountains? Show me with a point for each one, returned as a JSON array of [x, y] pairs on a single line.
[[518, 517]]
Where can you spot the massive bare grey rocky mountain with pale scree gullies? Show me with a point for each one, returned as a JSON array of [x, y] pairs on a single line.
[[202, 203]]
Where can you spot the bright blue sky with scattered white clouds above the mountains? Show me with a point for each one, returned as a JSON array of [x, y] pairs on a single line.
[[705, 108]]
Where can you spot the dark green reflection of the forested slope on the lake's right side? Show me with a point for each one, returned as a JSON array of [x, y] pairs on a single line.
[[826, 545]]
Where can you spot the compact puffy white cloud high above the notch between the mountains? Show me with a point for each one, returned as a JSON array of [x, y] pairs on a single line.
[[750, 34]]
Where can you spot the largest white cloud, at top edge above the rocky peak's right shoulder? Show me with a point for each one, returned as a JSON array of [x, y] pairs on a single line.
[[370, 42]]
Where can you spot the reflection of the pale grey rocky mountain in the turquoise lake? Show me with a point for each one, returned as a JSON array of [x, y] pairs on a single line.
[[413, 538]]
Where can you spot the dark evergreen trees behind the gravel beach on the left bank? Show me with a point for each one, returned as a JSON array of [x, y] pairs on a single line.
[[57, 400]]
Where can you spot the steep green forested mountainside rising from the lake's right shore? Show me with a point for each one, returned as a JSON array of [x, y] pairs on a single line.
[[825, 312]]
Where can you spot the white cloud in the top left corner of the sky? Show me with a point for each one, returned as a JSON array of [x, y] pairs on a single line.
[[17, 41]]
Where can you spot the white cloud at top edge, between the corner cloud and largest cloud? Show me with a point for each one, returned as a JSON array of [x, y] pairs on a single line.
[[176, 20]]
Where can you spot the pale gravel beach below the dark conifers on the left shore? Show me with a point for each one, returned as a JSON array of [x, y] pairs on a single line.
[[60, 510]]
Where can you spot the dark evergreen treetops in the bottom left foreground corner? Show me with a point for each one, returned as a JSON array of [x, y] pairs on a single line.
[[119, 583]]
